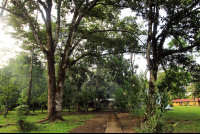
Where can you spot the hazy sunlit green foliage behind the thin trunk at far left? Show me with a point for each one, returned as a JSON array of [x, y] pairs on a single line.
[[14, 78]]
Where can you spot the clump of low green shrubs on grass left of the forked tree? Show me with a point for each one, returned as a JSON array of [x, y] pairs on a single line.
[[22, 124]]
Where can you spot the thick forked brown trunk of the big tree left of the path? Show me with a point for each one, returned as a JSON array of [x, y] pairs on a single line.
[[55, 94]]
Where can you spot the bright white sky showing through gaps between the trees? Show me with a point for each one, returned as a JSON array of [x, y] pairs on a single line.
[[9, 44]]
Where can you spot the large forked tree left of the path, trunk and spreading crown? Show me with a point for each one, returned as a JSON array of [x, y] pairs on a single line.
[[49, 43]]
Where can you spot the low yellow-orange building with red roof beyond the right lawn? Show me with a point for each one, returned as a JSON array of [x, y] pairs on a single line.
[[186, 102]]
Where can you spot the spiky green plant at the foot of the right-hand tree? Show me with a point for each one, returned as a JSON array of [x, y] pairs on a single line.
[[155, 116]]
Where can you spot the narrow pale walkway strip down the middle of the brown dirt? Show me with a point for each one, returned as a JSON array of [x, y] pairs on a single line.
[[113, 125]]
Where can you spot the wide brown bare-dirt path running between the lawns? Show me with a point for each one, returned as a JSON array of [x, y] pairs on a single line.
[[100, 122]]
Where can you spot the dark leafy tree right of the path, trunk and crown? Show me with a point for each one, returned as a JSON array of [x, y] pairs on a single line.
[[180, 23]]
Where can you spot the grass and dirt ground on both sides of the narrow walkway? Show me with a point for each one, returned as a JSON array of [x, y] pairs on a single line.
[[186, 117]]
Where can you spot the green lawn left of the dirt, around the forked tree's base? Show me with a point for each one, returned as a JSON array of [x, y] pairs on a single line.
[[71, 121]]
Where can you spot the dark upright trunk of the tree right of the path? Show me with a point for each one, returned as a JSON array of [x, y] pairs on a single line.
[[152, 51]]
